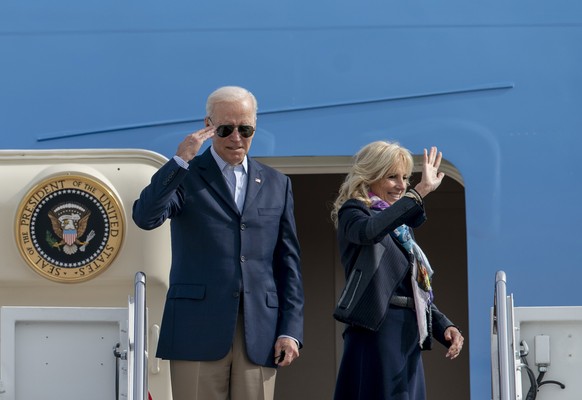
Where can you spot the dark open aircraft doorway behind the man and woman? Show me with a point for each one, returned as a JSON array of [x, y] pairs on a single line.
[[443, 238]]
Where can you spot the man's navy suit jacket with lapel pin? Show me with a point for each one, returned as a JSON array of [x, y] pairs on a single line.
[[221, 256]]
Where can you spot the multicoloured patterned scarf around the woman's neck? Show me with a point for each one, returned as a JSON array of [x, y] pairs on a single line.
[[421, 270]]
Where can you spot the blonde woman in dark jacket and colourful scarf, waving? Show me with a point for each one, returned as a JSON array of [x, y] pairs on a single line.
[[397, 315]]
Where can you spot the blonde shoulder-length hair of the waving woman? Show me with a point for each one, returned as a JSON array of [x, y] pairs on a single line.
[[372, 163]]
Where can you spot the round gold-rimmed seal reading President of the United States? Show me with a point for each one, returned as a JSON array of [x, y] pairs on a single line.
[[69, 228]]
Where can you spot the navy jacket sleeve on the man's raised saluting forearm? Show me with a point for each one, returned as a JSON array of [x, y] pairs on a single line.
[[162, 198]]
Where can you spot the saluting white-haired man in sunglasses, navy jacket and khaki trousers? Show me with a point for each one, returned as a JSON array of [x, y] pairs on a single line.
[[234, 308]]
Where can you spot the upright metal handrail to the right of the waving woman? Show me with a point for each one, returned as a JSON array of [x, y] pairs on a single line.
[[503, 343]]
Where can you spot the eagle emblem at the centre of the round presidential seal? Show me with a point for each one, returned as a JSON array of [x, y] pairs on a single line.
[[69, 223]]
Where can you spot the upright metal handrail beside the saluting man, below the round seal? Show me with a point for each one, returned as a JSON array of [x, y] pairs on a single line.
[[140, 370]]
